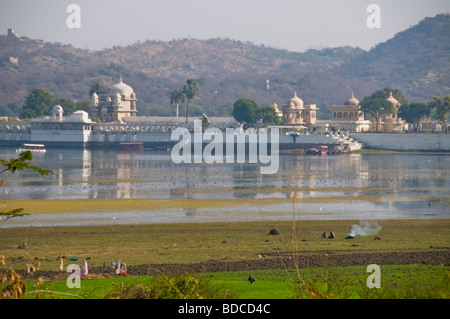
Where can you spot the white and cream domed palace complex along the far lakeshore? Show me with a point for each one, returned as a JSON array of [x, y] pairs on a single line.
[[112, 119]]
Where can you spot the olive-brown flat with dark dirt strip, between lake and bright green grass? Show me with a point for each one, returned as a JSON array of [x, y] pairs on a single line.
[[204, 247]]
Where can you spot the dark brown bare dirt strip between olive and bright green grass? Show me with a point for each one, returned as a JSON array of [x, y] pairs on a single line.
[[278, 260]]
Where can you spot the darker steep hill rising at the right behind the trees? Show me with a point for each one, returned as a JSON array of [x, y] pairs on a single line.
[[416, 60]]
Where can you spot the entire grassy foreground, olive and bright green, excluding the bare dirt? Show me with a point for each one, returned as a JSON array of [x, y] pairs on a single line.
[[243, 243]]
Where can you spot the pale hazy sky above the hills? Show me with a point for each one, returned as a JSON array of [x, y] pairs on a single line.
[[294, 25]]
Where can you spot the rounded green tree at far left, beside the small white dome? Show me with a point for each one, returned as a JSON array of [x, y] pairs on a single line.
[[38, 103]]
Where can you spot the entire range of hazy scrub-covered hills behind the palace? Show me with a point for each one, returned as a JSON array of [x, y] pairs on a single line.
[[414, 61]]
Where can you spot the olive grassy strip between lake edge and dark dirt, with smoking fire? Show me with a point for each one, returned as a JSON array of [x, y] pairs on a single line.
[[193, 243]]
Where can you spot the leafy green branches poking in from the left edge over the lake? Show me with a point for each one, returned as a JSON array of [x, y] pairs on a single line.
[[19, 164]]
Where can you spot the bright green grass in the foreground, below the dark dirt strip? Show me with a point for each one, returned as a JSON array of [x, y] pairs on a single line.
[[397, 282]]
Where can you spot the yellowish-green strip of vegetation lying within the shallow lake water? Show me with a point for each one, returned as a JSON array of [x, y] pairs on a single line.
[[74, 206]]
